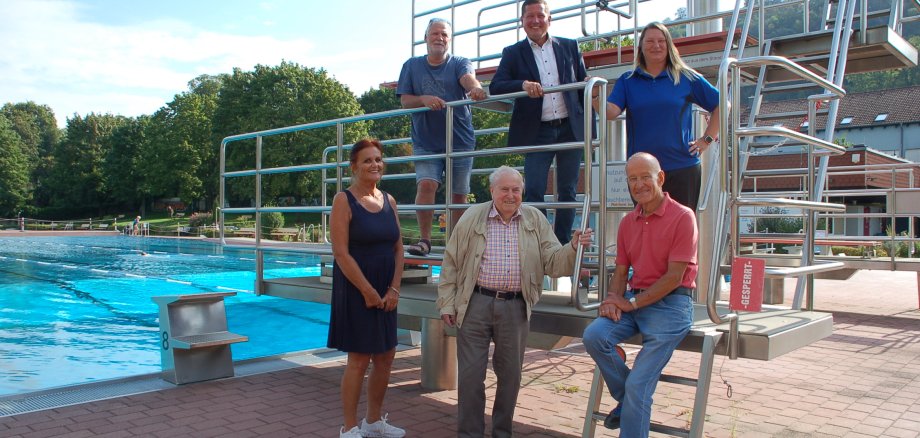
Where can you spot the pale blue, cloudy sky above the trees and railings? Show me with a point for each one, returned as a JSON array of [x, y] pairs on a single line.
[[131, 57]]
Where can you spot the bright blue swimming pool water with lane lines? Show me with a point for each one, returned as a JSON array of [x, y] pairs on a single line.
[[79, 309]]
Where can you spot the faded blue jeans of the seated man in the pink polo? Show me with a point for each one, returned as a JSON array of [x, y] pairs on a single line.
[[662, 325]]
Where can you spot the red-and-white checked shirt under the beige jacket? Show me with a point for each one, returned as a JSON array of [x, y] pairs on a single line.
[[501, 263]]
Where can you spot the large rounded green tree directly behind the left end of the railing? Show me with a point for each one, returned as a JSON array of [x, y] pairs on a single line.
[[276, 97]]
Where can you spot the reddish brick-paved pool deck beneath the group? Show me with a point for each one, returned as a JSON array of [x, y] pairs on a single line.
[[862, 381]]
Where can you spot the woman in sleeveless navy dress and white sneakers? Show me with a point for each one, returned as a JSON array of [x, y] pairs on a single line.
[[368, 253]]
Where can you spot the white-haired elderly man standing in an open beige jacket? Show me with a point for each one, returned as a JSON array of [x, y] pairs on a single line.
[[491, 277]]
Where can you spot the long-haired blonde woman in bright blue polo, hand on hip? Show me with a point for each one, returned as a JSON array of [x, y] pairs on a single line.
[[657, 97]]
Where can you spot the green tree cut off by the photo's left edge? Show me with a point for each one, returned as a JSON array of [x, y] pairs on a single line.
[[14, 176]]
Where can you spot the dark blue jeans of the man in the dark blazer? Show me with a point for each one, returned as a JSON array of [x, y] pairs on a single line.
[[568, 163]]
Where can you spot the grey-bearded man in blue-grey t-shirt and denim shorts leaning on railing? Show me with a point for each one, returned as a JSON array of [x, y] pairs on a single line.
[[431, 81]]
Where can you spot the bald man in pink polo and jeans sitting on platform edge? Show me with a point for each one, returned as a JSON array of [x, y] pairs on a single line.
[[658, 241]]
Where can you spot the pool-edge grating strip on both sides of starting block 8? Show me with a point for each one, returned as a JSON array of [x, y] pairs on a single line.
[[58, 397]]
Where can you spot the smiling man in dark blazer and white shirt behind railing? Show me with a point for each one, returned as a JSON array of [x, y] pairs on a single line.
[[538, 62]]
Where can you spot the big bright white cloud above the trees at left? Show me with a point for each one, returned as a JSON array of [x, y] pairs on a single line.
[[52, 58]]
